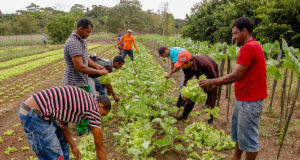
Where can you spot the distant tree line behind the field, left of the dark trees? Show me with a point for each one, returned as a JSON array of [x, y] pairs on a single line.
[[126, 14]]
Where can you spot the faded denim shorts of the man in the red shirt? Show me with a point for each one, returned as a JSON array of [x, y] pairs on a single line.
[[245, 124]]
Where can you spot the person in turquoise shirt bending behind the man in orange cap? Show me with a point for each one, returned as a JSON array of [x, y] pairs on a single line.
[[172, 54]]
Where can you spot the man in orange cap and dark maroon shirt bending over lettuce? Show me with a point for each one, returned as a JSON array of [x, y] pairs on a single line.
[[196, 66]]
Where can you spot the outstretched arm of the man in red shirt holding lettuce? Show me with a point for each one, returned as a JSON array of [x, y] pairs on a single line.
[[236, 75]]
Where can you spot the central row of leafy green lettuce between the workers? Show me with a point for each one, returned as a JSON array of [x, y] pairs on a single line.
[[147, 126]]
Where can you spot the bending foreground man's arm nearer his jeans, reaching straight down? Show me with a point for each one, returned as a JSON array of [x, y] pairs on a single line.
[[69, 139]]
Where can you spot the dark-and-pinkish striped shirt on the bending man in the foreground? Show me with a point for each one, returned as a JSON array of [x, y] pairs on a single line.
[[68, 104]]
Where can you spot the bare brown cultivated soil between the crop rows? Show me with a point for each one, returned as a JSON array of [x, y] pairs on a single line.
[[268, 138]]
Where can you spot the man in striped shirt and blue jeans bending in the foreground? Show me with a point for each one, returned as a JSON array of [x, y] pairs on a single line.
[[51, 140]]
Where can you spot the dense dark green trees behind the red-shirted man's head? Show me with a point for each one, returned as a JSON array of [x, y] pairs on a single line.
[[211, 20]]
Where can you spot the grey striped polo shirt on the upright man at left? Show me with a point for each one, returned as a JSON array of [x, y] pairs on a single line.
[[75, 46]]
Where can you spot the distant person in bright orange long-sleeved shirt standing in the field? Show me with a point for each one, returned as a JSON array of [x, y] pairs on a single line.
[[127, 47]]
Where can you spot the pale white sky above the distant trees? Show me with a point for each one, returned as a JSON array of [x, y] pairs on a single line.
[[179, 8]]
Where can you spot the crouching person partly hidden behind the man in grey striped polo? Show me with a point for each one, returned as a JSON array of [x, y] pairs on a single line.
[[103, 89]]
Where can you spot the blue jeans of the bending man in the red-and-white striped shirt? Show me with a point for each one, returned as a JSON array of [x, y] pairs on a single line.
[[46, 138]]
